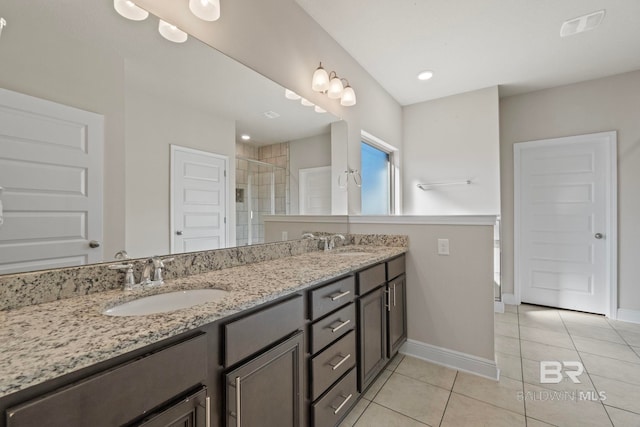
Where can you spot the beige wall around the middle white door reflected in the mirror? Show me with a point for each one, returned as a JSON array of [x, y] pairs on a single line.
[[153, 123]]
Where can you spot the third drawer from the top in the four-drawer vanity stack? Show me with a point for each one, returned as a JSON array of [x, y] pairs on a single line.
[[328, 366]]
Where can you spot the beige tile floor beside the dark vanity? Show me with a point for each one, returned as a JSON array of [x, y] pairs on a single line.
[[411, 392]]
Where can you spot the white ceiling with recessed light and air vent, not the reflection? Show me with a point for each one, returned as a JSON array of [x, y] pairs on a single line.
[[473, 44]]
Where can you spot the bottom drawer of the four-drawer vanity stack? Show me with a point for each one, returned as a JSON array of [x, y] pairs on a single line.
[[336, 403]]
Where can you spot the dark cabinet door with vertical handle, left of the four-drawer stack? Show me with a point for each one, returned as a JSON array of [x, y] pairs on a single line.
[[267, 390]]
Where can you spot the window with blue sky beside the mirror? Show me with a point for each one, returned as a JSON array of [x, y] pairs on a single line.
[[376, 180]]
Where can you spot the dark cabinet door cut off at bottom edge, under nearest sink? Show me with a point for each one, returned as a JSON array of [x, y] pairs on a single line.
[[190, 412]]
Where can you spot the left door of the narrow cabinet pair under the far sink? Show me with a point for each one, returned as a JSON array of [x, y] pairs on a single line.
[[372, 328]]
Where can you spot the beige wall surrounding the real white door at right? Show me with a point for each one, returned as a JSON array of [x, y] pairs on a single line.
[[611, 103]]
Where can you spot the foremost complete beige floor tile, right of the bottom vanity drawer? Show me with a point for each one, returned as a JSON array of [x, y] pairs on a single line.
[[416, 399]]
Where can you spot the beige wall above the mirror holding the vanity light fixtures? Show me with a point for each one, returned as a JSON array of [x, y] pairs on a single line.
[[279, 40]]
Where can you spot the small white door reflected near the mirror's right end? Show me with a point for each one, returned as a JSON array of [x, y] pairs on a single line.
[[315, 191]]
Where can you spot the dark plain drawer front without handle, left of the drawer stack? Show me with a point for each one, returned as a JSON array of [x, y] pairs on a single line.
[[252, 333]]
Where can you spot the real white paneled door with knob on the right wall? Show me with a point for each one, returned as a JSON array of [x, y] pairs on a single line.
[[565, 218]]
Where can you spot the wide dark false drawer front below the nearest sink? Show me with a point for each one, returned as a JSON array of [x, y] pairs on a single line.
[[121, 394]]
